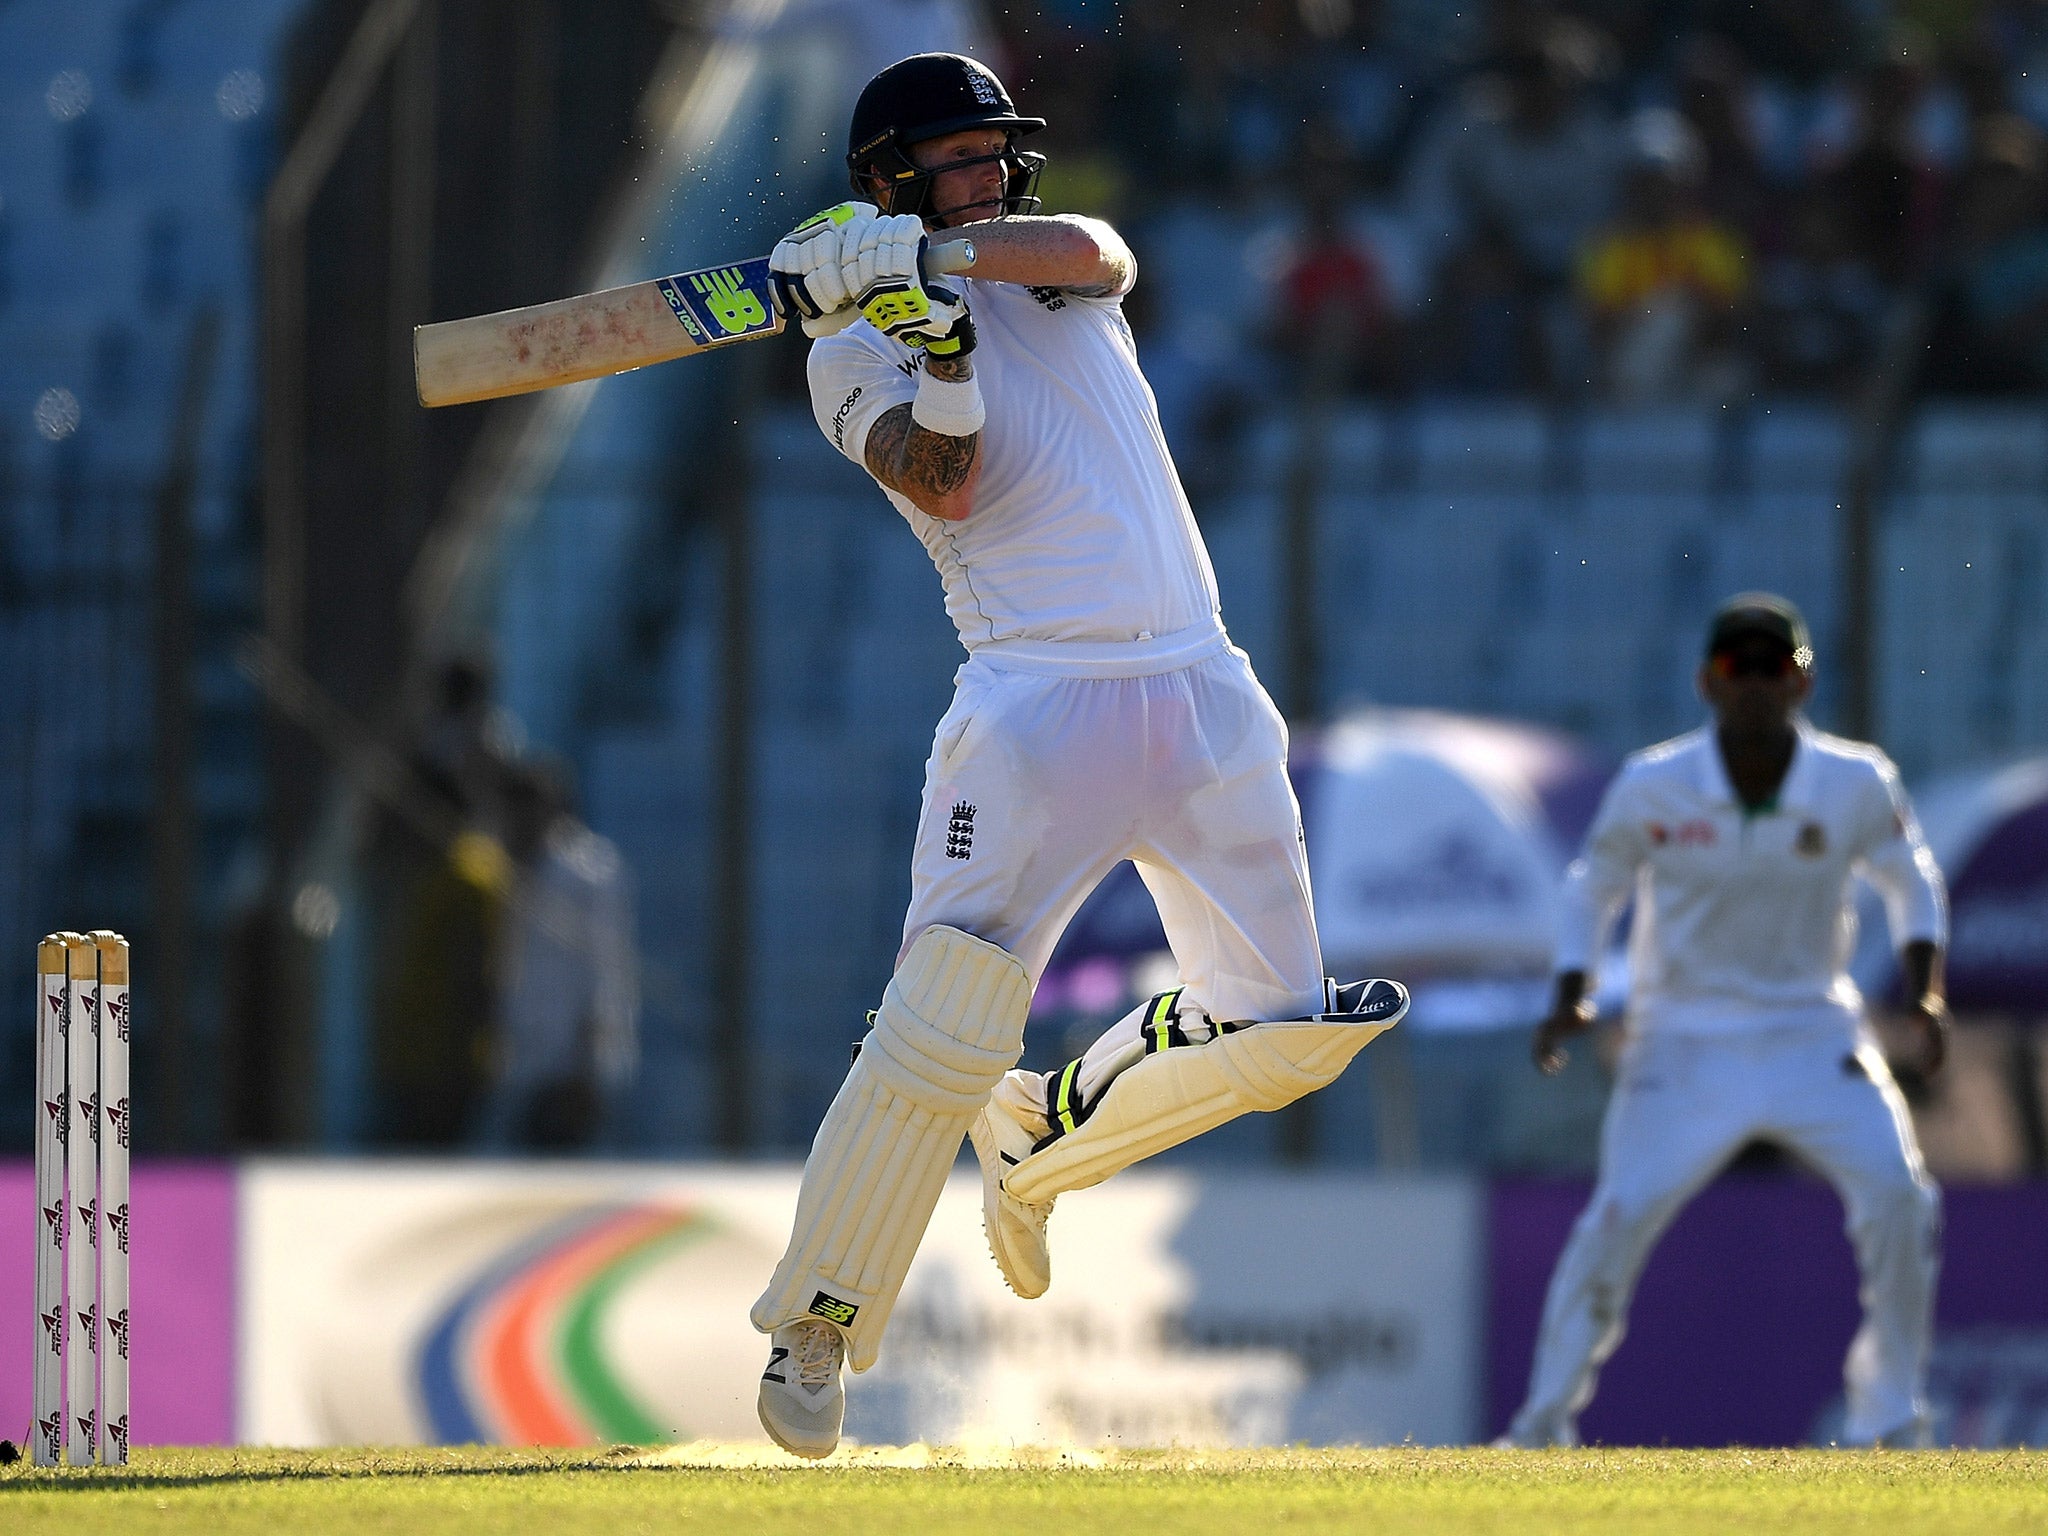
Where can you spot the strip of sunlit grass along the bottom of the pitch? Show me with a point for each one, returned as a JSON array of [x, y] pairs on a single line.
[[1039, 1494]]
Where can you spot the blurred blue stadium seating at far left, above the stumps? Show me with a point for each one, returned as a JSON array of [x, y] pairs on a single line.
[[134, 146]]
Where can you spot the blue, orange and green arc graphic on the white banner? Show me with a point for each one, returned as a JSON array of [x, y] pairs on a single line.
[[517, 1357]]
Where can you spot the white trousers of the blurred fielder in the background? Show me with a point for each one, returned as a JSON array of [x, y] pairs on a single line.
[[1682, 1107]]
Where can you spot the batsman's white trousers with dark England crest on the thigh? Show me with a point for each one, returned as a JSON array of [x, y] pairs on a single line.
[[1039, 785]]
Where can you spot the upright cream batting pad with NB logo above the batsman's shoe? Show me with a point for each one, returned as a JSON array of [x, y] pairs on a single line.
[[951, 1025]]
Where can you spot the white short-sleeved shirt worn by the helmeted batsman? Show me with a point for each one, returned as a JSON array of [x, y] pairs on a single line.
[[1080, 556]]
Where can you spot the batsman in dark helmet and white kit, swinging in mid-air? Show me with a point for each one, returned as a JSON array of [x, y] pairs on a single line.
[[1103, 714]]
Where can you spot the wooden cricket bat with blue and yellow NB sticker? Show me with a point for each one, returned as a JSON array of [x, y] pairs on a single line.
[[617, 331]]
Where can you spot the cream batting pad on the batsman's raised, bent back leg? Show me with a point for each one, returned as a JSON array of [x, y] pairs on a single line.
[[1177, 1095]]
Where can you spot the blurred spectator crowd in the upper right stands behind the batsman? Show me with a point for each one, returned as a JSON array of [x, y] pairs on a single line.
[[1621, 200]]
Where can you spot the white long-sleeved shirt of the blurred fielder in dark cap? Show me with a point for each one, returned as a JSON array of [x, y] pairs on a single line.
[[1746, 919]]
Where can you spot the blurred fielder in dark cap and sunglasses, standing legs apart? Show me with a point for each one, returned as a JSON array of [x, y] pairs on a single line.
[[1740, 845]]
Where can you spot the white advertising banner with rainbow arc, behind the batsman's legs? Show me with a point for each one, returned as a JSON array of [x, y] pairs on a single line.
[[560, 1304]]
